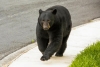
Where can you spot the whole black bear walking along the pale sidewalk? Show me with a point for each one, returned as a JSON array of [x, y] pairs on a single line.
[[52, 31]]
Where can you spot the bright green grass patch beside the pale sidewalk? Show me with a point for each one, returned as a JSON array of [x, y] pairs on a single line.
[[89, 57]]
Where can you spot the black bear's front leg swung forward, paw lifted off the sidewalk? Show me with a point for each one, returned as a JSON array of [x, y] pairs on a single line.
[[56, 41]]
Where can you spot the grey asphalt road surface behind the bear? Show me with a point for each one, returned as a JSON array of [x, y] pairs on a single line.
[[18, 19]]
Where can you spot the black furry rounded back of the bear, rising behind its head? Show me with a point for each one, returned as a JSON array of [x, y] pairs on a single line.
[[62, 13]]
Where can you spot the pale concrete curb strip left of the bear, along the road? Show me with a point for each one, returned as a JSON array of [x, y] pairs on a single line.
[[13, 56]]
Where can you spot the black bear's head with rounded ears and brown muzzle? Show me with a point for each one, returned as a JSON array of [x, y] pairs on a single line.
[[46, 18]]
